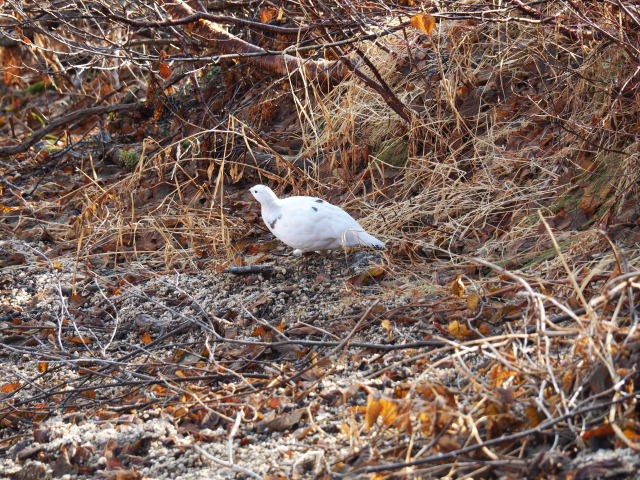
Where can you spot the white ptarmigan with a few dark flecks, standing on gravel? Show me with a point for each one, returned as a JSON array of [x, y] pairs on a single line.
[[310, 224]]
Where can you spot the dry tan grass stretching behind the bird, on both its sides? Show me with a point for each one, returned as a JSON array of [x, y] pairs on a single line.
[[507, 119]]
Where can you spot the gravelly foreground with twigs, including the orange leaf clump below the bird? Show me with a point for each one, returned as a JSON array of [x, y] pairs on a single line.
[[320, 366]]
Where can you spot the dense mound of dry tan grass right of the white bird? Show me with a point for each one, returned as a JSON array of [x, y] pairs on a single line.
[[507, 119]]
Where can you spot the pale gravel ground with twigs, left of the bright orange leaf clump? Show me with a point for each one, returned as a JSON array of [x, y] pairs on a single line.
[[147, 330]]
